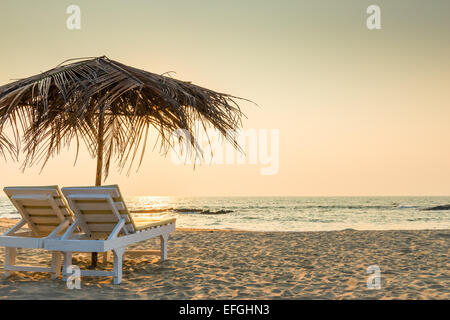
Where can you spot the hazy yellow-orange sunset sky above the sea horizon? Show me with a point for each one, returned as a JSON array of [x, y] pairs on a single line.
[[359, 112]]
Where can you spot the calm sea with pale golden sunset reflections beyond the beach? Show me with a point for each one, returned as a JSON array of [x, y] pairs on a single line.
[[290, 213]]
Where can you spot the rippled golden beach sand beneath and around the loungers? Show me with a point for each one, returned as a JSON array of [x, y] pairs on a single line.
[[259, 265]]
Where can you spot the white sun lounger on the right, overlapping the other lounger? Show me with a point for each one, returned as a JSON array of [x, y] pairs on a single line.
[[106, 225]]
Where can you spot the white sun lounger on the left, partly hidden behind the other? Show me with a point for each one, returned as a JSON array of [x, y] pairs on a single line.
[[46, 213]]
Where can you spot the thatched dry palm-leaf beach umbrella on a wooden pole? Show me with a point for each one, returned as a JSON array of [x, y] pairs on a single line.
[[110, 107]]
